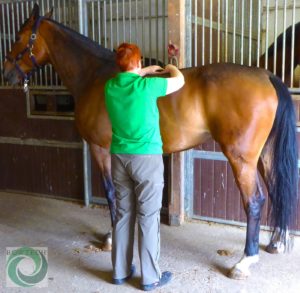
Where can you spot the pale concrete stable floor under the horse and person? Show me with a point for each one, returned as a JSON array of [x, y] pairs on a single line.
[[70, 232]]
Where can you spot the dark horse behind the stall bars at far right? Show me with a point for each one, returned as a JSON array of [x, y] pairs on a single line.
[[286, 73]]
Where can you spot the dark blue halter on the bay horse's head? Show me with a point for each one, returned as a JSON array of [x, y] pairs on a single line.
[[29, 49]]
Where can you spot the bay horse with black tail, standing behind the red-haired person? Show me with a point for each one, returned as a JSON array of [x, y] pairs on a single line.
[[247, 110]]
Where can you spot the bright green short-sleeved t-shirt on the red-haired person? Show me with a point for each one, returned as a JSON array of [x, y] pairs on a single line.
[[131, 104]]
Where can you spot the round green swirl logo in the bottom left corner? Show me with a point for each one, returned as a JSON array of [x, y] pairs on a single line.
[[17, 261]]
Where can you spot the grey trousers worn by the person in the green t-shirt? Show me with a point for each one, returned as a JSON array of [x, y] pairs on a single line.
[[138, 181]]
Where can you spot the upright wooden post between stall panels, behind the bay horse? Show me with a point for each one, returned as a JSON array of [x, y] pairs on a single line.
[[176, 24]]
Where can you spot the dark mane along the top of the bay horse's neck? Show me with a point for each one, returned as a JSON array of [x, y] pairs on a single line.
[[93, 47]]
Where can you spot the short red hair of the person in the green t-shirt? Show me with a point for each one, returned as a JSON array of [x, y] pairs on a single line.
[[128, 56]]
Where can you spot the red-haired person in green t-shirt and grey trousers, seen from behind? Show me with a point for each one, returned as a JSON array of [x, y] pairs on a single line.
[[137, 165]]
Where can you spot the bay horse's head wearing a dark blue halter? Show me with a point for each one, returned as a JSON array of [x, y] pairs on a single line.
[[29, 50]]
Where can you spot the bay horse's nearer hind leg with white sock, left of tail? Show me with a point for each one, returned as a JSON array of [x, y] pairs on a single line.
[[245, 172]]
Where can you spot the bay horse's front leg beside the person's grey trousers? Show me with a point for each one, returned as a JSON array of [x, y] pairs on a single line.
[[102, 157]]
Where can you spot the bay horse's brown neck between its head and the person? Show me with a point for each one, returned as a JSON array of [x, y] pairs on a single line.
[[76, 63]]
